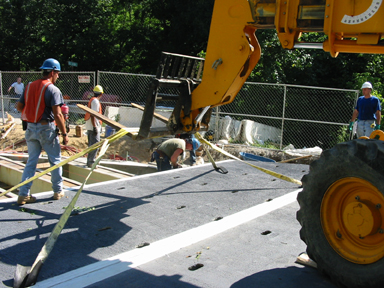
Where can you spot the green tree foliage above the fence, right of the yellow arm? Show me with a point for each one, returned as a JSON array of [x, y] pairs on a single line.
[[315, 67]]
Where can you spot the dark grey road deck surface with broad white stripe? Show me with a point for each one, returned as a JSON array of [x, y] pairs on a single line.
[[196, 228]]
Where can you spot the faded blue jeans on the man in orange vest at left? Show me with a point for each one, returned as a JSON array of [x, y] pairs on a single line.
[[40, 137]]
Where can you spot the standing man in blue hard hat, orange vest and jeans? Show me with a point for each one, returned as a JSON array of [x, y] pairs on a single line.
[[40, 106]]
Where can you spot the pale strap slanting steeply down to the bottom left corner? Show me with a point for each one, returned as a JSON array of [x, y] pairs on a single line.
[[26, 276]]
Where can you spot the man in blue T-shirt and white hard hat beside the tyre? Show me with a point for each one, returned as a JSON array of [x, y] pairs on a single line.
[[367, 112]]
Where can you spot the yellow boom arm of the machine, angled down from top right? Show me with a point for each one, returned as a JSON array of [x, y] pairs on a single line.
[[233, 51]]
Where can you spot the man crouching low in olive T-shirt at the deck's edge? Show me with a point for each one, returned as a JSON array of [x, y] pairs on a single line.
[[166, 155]]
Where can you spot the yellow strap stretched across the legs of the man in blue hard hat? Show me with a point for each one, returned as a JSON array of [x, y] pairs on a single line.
[[117, 135]]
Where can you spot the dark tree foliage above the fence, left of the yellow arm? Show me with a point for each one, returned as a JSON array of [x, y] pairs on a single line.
[[116, 35]]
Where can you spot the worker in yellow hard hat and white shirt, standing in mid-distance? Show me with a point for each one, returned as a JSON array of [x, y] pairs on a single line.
[[92, 124]]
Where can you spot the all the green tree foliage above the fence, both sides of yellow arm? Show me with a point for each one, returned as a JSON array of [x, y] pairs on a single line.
[[129, 35]]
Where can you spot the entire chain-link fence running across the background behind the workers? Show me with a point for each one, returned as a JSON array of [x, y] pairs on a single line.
[[266, 115]]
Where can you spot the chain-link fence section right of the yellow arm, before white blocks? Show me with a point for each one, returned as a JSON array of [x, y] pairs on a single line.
[[275, 116]]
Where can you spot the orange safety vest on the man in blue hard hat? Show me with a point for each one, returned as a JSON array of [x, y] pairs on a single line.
[[34, 101]]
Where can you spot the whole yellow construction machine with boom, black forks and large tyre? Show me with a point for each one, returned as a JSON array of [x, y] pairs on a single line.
[[342, 202]]
